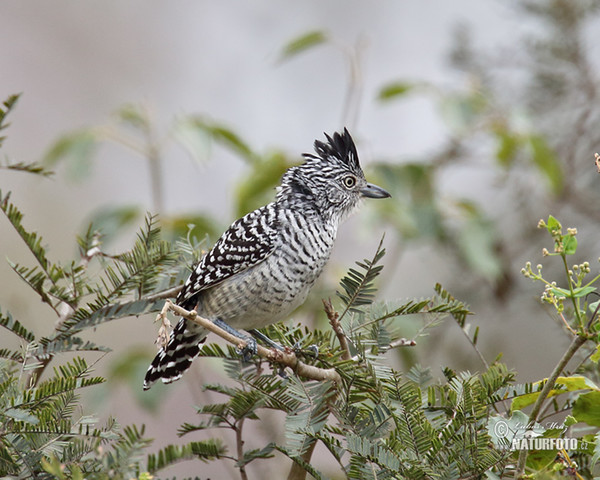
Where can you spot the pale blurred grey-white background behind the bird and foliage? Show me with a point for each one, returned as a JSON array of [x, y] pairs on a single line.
[[77, 62]]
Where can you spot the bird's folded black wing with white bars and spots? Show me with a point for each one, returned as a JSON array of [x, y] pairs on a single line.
[[247, 242]]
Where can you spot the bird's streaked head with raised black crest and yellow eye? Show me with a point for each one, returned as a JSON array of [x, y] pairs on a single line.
[[331, 180]]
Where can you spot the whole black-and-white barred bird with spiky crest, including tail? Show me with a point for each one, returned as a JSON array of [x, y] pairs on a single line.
[[263, 266]]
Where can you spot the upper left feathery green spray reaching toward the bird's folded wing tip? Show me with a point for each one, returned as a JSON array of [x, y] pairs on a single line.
[[81, 302]]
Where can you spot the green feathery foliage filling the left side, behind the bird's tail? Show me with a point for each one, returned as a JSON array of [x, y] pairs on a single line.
[[43, 431]]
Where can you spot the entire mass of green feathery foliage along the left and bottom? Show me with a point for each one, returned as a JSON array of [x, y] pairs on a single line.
[[375, 423]]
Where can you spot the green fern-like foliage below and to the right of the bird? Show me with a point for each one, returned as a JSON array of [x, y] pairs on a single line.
[[379, 423]]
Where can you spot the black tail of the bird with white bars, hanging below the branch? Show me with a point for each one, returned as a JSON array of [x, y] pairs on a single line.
[[174, 359]]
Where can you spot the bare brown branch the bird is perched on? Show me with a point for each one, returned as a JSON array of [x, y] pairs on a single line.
[[286, 358]]
